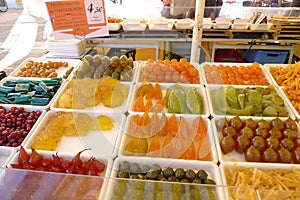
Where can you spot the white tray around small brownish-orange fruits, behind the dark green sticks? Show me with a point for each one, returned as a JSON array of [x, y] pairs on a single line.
[[60, 71]]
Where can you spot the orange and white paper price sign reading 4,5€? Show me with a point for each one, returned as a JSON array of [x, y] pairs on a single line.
[[77, 18]]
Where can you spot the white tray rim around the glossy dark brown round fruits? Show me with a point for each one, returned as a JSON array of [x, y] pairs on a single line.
[[233, 156]]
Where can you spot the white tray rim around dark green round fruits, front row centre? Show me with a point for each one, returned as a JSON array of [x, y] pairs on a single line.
[[211, 169]]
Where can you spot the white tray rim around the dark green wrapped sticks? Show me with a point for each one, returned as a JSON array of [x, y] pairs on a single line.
[[45, 107]]
